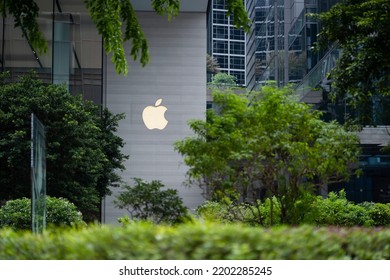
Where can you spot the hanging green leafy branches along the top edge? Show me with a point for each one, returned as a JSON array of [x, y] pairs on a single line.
[[109, 16]]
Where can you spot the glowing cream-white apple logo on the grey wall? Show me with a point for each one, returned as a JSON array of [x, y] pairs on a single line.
[[153, 116]]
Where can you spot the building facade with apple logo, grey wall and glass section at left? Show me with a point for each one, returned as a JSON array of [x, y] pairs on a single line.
[[172, 86]]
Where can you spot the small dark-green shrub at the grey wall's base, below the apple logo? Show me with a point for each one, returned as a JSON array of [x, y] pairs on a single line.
[[148, 201]]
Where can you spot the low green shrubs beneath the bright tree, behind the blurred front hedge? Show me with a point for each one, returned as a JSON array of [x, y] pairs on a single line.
[[335, 210]]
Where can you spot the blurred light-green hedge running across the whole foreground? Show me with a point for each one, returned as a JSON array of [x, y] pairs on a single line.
[[197, 241]]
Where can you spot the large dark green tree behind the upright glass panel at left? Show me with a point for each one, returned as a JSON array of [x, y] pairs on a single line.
[[83, 152]]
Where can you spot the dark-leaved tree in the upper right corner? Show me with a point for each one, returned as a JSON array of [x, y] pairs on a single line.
[[361, 27]]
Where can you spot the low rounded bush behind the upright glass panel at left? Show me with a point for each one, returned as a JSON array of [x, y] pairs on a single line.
[[16, 214]]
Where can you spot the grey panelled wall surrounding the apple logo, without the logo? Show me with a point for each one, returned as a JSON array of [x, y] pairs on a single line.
[[177, 74]]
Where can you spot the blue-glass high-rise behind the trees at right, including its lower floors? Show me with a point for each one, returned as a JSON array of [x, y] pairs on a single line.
[[286, 37]]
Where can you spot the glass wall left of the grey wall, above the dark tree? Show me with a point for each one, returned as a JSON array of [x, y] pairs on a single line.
[[74, 56]]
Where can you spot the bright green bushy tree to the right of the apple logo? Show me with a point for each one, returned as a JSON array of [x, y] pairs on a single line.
[[266, 143]]
